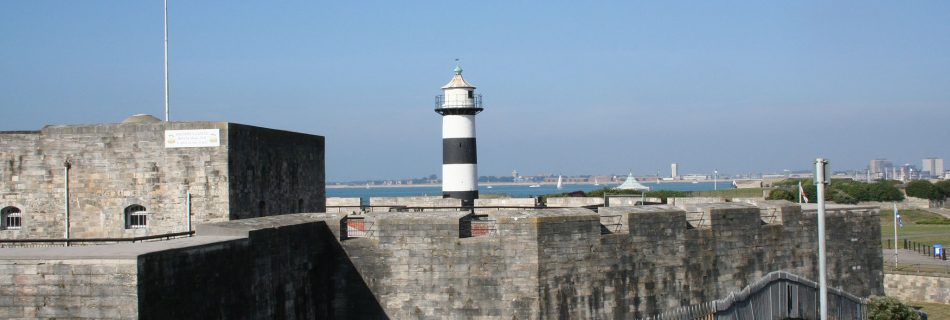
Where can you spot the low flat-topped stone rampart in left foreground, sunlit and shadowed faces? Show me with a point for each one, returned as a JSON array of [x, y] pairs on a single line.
[[279, 267]]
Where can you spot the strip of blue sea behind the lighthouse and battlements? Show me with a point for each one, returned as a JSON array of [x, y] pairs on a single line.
[[515, 191]]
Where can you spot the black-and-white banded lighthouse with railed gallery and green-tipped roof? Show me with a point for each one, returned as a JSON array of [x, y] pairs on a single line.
[[458, 104]]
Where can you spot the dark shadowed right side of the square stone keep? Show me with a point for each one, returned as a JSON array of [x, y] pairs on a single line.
[[274, 172]]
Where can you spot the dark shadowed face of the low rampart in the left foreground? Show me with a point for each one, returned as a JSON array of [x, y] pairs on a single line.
[[289, 272]]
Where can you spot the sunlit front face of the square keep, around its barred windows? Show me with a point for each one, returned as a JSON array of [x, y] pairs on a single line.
[[112, 166]]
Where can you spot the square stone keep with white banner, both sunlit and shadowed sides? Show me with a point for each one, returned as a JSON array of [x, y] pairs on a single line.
[[138, 177]]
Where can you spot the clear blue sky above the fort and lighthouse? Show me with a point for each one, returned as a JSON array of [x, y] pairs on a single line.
[[570, 87]]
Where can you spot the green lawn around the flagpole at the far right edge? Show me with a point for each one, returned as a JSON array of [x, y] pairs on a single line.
[[923, 233]]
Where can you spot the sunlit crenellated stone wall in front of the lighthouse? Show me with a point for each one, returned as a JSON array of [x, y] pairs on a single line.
[[559, 262]]
